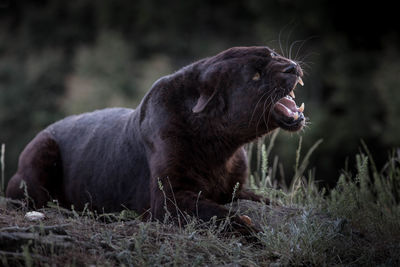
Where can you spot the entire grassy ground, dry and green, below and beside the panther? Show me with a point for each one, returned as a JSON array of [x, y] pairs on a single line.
[[355, 224]]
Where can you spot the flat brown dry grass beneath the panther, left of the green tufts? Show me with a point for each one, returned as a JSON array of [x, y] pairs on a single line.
[[68, 238]]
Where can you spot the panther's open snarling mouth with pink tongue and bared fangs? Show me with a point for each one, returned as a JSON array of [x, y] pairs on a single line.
[[287, 114]]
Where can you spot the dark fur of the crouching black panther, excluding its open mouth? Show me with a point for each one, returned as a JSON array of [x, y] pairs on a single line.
[[188, 133]]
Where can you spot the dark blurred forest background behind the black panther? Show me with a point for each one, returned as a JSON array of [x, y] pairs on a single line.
[[65, 57]]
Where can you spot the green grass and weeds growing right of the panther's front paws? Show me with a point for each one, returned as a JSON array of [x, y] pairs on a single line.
[[357, 222]]
